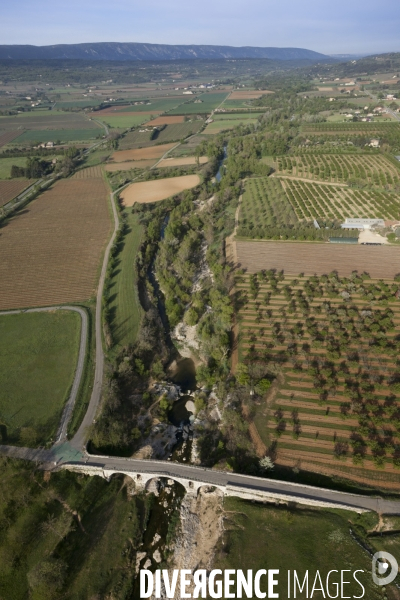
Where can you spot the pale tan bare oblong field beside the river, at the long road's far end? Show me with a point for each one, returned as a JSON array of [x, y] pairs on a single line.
[[160, 189]]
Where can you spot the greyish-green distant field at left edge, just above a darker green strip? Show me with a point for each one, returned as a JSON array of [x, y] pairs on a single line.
[[47, 121]]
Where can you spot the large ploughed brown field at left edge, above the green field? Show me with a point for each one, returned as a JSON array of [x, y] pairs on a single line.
[[51, 251]]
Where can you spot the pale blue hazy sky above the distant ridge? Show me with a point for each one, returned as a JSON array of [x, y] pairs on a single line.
[[334, 26]]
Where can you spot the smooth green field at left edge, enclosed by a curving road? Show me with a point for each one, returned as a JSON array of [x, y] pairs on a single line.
[[38, 355]]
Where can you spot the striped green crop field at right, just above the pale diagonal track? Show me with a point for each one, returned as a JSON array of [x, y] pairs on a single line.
[[374, 169]]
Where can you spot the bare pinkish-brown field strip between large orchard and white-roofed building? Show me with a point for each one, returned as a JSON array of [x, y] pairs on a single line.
[[310, 258]]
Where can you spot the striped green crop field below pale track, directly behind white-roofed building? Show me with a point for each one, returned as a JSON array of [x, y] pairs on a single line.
[[313, 201]]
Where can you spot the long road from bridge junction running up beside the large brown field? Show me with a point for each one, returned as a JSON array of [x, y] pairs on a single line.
[[79, 439]]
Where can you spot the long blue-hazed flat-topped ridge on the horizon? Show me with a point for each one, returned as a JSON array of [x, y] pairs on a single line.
[[135, 51]]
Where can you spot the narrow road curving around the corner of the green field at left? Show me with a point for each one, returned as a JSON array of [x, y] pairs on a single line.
[[69, 406]]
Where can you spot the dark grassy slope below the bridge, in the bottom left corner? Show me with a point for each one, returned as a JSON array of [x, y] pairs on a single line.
[[36, 527]]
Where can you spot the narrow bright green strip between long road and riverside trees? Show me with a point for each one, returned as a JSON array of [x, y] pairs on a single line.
[[125, 309]]
